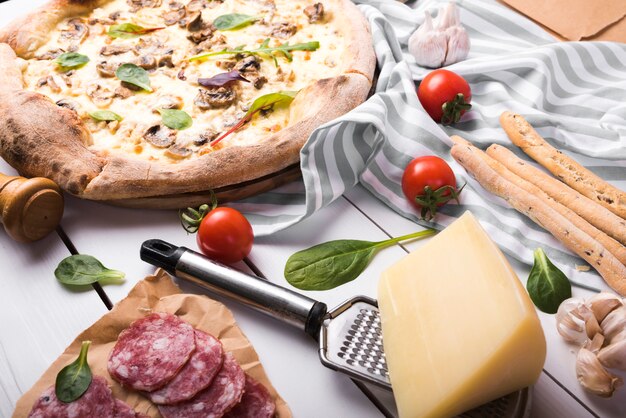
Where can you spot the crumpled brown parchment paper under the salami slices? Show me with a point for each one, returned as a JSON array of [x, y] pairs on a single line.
[[156, 293]]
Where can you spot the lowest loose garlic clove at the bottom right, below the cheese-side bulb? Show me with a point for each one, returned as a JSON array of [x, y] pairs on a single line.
[[593, 376]]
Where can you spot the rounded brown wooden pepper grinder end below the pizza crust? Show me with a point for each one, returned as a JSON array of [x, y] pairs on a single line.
[[29, 208]]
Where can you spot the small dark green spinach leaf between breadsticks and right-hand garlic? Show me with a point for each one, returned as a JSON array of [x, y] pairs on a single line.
[[547, 285]]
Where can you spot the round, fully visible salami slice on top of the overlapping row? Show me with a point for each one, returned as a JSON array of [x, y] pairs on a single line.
[[150, 352]]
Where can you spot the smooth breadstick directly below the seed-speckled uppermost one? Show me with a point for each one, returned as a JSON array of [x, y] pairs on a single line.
[[595, 214]]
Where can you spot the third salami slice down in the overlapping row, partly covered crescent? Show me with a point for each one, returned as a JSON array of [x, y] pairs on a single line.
[[213, 402]]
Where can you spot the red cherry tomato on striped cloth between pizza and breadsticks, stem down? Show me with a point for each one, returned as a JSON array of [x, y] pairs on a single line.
[[428, 182]]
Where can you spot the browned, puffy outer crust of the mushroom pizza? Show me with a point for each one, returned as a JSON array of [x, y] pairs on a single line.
[[39, 138]]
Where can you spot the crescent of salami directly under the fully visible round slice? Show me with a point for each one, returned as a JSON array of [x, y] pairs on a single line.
[[196, 375]]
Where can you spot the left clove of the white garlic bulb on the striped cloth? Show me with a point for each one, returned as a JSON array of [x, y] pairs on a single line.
[[428, 45]]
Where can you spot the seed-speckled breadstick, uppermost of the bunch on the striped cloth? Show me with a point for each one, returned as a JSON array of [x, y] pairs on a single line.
[[563, 167]]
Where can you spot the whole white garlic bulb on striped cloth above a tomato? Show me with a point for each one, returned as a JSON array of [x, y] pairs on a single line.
[[443, 43]]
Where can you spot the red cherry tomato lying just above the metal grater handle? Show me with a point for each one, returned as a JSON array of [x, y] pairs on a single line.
[[225, 235]]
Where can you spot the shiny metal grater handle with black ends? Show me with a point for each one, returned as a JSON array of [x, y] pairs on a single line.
[[259, 294]]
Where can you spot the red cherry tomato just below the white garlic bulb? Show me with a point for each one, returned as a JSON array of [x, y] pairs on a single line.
[[445, 96]]
